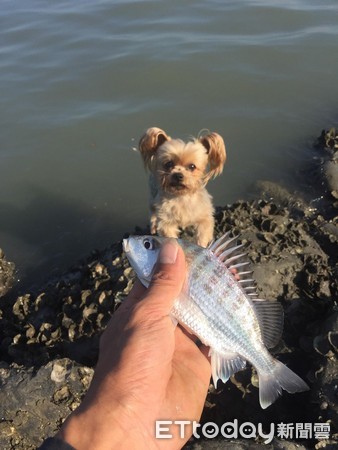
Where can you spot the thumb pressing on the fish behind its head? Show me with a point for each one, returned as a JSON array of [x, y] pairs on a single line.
[[168, 278]]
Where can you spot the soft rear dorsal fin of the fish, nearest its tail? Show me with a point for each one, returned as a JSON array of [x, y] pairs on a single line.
[[270, 317]]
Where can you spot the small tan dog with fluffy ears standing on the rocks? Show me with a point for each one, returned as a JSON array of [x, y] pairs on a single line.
[[179, 172]]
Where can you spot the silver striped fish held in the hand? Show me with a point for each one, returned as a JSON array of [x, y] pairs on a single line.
[[219, 304]]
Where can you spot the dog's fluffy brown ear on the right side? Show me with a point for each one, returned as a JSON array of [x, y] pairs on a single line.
[[215, 148]]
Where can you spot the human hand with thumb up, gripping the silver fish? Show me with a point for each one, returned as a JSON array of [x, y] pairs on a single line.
[[148, 370]]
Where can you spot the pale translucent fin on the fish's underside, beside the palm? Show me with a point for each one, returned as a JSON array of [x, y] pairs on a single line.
[[225, 364]]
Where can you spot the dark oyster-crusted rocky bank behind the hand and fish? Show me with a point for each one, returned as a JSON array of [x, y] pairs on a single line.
[[49, 339]]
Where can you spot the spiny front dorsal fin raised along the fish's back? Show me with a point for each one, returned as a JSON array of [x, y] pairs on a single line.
[[229, 253]]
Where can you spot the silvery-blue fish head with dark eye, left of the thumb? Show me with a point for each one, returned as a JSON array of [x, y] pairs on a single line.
[[142, 253]]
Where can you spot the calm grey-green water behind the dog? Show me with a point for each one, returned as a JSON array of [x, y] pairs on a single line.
[[81, 81]]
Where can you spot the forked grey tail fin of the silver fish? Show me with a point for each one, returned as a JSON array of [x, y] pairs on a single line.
[[271, 384]]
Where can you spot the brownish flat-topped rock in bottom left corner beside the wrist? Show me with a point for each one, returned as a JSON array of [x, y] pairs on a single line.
[[32, 403]]
